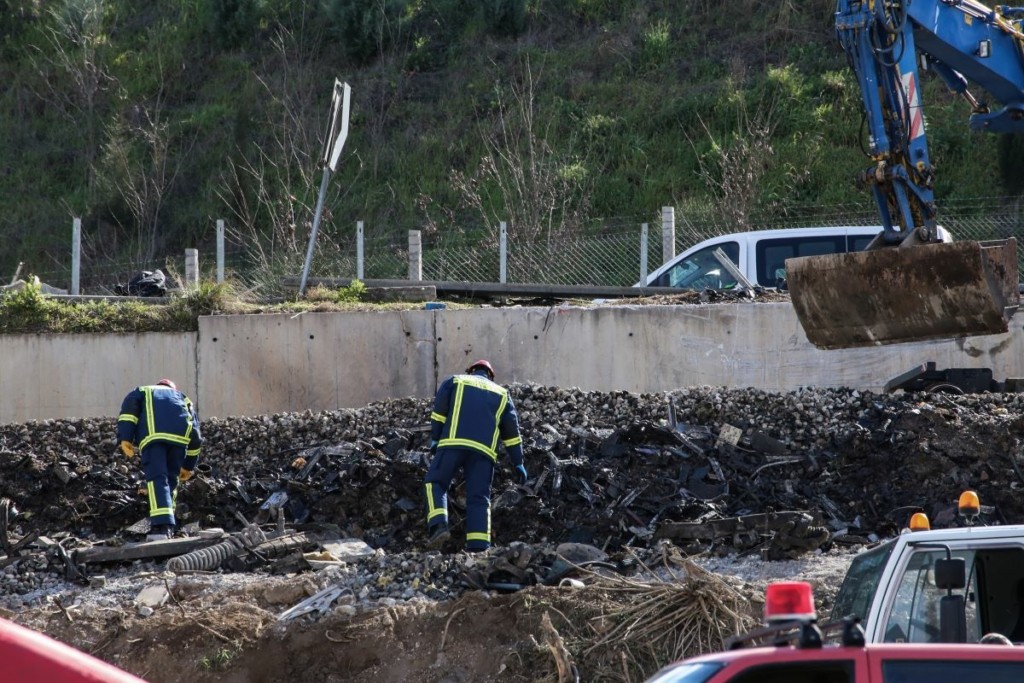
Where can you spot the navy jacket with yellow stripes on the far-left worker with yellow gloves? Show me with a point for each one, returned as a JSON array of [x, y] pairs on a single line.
[[160, 413]]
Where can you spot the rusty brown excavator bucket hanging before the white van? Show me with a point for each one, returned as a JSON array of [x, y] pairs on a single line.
[[893, 295]]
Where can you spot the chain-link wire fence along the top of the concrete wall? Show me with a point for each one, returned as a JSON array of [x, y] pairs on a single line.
[[608, 253]]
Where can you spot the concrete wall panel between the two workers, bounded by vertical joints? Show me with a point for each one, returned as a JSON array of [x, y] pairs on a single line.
[[254, 365]]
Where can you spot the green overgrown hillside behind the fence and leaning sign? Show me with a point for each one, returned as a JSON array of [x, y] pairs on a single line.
[[150, 121]]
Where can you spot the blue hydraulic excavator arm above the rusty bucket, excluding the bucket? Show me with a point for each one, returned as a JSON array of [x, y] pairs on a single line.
[[963, 41]]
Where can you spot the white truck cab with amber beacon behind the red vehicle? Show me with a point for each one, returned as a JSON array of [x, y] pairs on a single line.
[[893, 589]]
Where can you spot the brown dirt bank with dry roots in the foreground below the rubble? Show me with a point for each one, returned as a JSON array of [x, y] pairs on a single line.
[[613, 630]]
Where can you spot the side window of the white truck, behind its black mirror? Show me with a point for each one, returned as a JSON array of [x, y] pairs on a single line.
[[914, 617]]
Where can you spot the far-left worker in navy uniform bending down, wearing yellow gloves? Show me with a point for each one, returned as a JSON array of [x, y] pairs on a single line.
[[162, 422]]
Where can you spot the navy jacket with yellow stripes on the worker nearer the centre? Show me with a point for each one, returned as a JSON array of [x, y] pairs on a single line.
[[473, 412]]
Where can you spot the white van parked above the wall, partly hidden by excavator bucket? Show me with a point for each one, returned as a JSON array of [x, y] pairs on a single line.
[[760, 255]]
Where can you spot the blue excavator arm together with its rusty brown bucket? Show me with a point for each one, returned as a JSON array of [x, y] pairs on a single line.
[[910, 285]]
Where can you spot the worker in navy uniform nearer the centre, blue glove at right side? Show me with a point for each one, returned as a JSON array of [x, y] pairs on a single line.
[[472, 415]]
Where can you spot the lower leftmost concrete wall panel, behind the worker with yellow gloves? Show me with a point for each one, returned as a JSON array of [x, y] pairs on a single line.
[[84, 376]]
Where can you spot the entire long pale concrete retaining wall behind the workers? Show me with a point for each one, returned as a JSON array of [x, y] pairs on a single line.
[[253, 365]]
